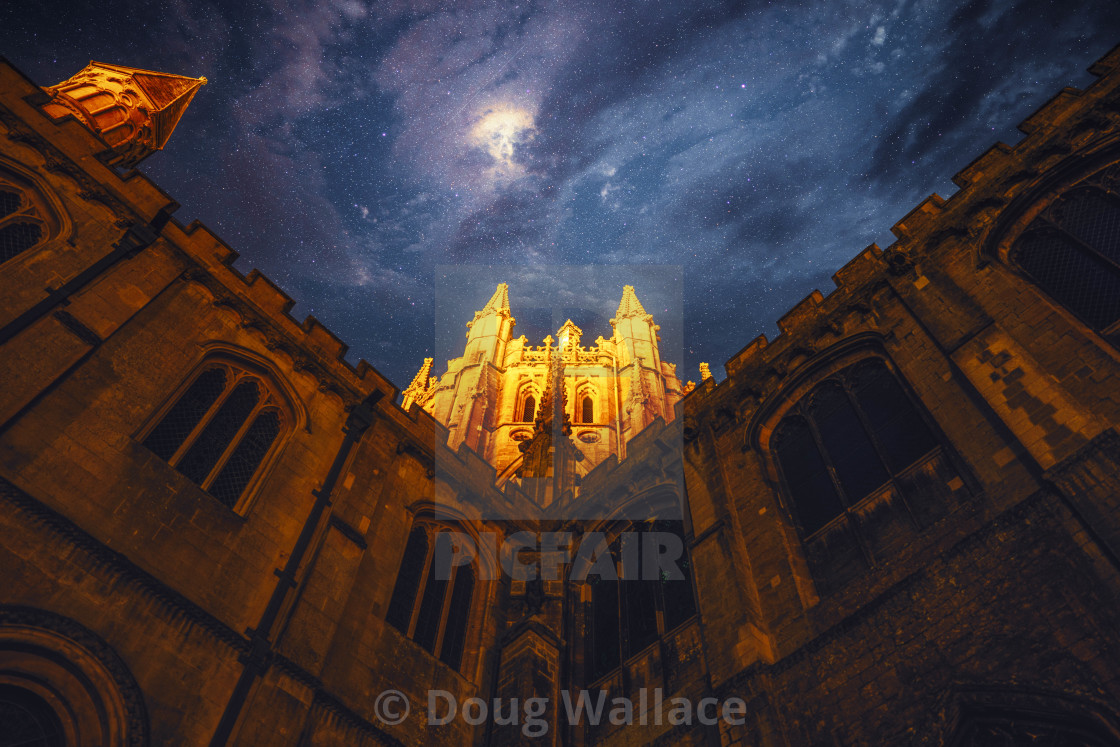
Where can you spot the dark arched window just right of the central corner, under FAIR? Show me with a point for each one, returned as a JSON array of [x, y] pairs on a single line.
[[628, 615]]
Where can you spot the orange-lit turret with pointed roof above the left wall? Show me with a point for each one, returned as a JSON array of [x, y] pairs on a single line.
[[134, 110]]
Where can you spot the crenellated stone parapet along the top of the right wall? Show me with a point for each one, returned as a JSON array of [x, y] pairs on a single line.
[[1084, 122]]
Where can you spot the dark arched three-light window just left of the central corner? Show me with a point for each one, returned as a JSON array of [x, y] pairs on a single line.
[[438, 622]]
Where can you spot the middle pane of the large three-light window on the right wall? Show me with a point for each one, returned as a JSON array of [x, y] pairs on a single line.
[[846, 443]]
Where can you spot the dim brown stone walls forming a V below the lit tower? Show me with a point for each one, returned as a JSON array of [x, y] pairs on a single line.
[[984, 581]]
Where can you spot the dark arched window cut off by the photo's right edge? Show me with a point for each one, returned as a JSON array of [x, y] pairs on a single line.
[[1072, 251]]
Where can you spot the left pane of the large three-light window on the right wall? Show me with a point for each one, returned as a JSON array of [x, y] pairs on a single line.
[[814, 494]]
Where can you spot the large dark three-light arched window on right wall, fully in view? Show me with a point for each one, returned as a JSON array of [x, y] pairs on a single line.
[[852, 435]]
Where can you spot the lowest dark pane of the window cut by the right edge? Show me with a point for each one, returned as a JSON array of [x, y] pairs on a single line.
[[1085, 284]]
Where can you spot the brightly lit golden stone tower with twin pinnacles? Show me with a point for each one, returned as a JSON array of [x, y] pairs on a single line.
[[491, 397]]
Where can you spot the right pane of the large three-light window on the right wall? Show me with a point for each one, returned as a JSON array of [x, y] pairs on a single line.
[[897, 425]]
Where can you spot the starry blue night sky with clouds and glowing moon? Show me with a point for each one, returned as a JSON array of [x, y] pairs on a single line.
[[360, 153]]
